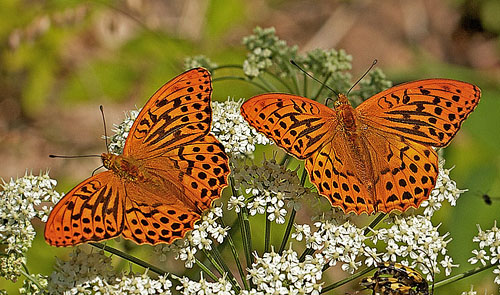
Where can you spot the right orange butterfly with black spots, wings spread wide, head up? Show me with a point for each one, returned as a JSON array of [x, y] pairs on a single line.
[[376, 157]]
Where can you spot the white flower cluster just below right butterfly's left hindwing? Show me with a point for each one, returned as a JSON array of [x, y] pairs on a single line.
[[336, 242]]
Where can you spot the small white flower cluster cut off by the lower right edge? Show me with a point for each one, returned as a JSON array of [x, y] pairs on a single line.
[[488, 240]]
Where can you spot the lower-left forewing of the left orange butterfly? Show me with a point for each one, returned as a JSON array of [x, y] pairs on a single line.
[[92, 211]]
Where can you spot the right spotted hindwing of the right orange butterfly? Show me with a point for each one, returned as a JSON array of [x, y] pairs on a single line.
[[405, 171]]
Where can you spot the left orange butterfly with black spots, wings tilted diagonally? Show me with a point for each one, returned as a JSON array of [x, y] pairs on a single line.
[[170, 171]]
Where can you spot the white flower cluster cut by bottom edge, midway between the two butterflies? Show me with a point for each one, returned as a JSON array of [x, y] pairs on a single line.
[[286, 274]]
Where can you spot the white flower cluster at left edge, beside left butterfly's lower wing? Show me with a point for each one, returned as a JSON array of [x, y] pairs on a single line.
[[19, 202]]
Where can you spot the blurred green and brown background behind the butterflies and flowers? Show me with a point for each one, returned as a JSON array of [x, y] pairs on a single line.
[[60, 60]]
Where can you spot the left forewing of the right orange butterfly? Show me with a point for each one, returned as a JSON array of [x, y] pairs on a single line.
[[299, 125]]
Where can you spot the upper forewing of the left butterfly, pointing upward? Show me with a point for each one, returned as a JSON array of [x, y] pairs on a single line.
[[178, 113]]
